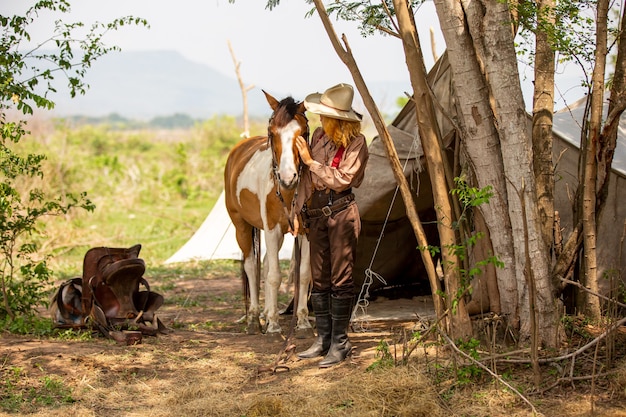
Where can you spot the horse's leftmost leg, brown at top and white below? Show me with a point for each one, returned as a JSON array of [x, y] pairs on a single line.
[[245, 241]]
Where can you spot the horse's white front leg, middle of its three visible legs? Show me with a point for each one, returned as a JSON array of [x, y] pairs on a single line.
[[273, 241]]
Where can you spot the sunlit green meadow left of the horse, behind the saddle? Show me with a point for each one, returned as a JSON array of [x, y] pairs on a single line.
[[149, 187]]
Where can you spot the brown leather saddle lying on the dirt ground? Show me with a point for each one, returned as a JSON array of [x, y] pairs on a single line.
[[108, 296]]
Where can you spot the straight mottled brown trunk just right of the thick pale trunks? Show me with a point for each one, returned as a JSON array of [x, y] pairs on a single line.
[[543, 110]]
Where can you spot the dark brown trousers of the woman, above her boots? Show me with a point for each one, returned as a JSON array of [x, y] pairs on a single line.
[[333, 242]]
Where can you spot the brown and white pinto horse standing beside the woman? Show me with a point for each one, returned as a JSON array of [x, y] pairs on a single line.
[[260, 182]]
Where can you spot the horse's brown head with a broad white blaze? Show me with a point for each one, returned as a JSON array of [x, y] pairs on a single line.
[[288, 121]]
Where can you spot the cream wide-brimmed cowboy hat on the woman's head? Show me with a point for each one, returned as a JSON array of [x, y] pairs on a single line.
[[336, 102]]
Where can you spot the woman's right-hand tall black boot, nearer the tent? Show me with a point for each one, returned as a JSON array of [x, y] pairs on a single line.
[[340, 346]]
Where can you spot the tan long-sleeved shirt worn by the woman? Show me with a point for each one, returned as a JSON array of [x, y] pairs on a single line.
[[320, 175]]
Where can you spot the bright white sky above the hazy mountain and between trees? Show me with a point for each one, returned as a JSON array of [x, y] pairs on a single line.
[[281, 49]]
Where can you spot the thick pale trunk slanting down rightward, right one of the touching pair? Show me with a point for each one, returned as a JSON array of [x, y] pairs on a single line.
[[494, 41]]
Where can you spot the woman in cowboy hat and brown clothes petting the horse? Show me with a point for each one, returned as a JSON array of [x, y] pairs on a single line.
[[335, 163]]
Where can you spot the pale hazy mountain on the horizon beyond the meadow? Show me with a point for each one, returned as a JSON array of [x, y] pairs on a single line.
[[148, 84]]
